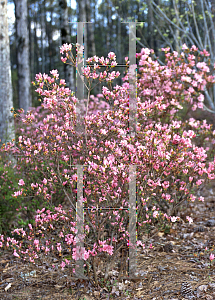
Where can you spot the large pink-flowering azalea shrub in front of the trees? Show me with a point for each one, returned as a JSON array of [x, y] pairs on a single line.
[[169, 165]]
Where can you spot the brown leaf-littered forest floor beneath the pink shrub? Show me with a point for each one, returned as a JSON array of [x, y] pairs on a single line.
[[161, 269]]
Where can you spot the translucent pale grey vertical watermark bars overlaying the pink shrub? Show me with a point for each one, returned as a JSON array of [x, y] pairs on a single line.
[[132, 132]]
